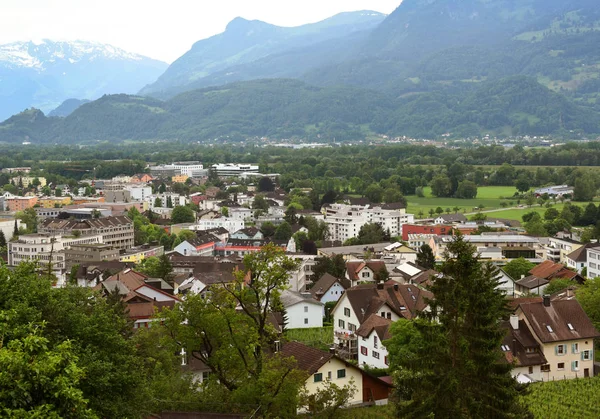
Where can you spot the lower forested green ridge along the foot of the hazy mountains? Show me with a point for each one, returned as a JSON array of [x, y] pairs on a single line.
[[284, 108]]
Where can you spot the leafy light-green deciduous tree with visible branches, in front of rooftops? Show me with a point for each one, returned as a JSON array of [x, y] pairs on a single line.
[[232, 334]]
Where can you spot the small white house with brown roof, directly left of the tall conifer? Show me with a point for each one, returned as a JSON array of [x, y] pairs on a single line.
[[371, 334]]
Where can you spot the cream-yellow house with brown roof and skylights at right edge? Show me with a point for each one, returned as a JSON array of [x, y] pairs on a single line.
[[565, 335]]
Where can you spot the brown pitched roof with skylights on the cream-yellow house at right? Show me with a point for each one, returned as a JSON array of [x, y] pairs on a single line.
[[551, 323]]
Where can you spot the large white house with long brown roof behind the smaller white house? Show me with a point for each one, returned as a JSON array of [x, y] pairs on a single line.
[[391, 300]]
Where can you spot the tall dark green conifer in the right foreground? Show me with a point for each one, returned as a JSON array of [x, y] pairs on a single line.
[[448, 363]]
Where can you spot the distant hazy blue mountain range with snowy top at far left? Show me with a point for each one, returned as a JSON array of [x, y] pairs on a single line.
[[44, 74]]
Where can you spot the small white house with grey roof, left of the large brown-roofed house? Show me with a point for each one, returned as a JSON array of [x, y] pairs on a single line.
[[302, 310]]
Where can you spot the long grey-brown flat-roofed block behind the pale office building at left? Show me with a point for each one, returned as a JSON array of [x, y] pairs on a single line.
[[115, 231]]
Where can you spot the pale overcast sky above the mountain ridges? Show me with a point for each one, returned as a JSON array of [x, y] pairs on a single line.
[[161, 29]]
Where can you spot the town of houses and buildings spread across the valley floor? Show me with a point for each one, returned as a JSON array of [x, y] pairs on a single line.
[[361, 266]]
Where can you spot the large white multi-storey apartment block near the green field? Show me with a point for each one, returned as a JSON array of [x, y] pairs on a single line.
[[345, 221]]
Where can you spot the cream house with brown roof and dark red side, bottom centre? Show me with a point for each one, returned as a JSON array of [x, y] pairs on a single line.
[[322, 366]]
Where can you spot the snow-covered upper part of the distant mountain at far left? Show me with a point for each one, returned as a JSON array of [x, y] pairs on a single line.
[[42, 54]]
